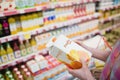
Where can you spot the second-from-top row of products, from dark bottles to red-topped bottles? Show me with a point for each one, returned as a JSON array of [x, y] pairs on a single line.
[[27, 22]]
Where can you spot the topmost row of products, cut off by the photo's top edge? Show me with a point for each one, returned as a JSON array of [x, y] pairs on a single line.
[[21, 4]]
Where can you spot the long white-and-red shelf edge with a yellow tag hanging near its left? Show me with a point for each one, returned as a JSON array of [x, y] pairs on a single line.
[[51, 27]]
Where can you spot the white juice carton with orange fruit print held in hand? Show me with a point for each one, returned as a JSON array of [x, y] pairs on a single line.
[[68, 52]]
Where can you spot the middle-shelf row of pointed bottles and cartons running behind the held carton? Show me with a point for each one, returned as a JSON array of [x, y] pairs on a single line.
[[21, 47]]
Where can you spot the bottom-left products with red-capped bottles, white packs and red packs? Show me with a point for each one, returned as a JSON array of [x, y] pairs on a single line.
[[39, 68]]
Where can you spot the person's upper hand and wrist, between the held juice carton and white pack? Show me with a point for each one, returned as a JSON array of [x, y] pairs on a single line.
[[102, 55]]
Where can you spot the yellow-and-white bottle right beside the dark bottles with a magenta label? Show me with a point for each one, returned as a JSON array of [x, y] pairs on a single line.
[[12, 24]]
